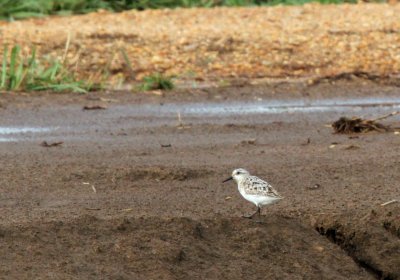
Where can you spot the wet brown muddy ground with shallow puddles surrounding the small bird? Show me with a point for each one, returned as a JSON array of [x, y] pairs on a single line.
[[135, 193]]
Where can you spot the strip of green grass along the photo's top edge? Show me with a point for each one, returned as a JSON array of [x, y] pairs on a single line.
[[19, 9]]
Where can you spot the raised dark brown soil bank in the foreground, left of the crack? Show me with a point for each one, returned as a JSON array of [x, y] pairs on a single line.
[[176, 248]]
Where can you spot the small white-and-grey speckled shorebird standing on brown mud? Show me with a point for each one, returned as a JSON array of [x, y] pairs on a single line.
[[254, 190]]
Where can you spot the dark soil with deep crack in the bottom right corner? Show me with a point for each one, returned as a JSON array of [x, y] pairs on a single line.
[[371, 238]]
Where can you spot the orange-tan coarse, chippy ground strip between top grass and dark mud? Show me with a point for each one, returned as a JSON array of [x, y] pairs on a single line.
[[221, 43]]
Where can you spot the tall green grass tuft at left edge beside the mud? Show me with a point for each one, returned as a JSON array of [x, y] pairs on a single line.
[[19, 73]]
